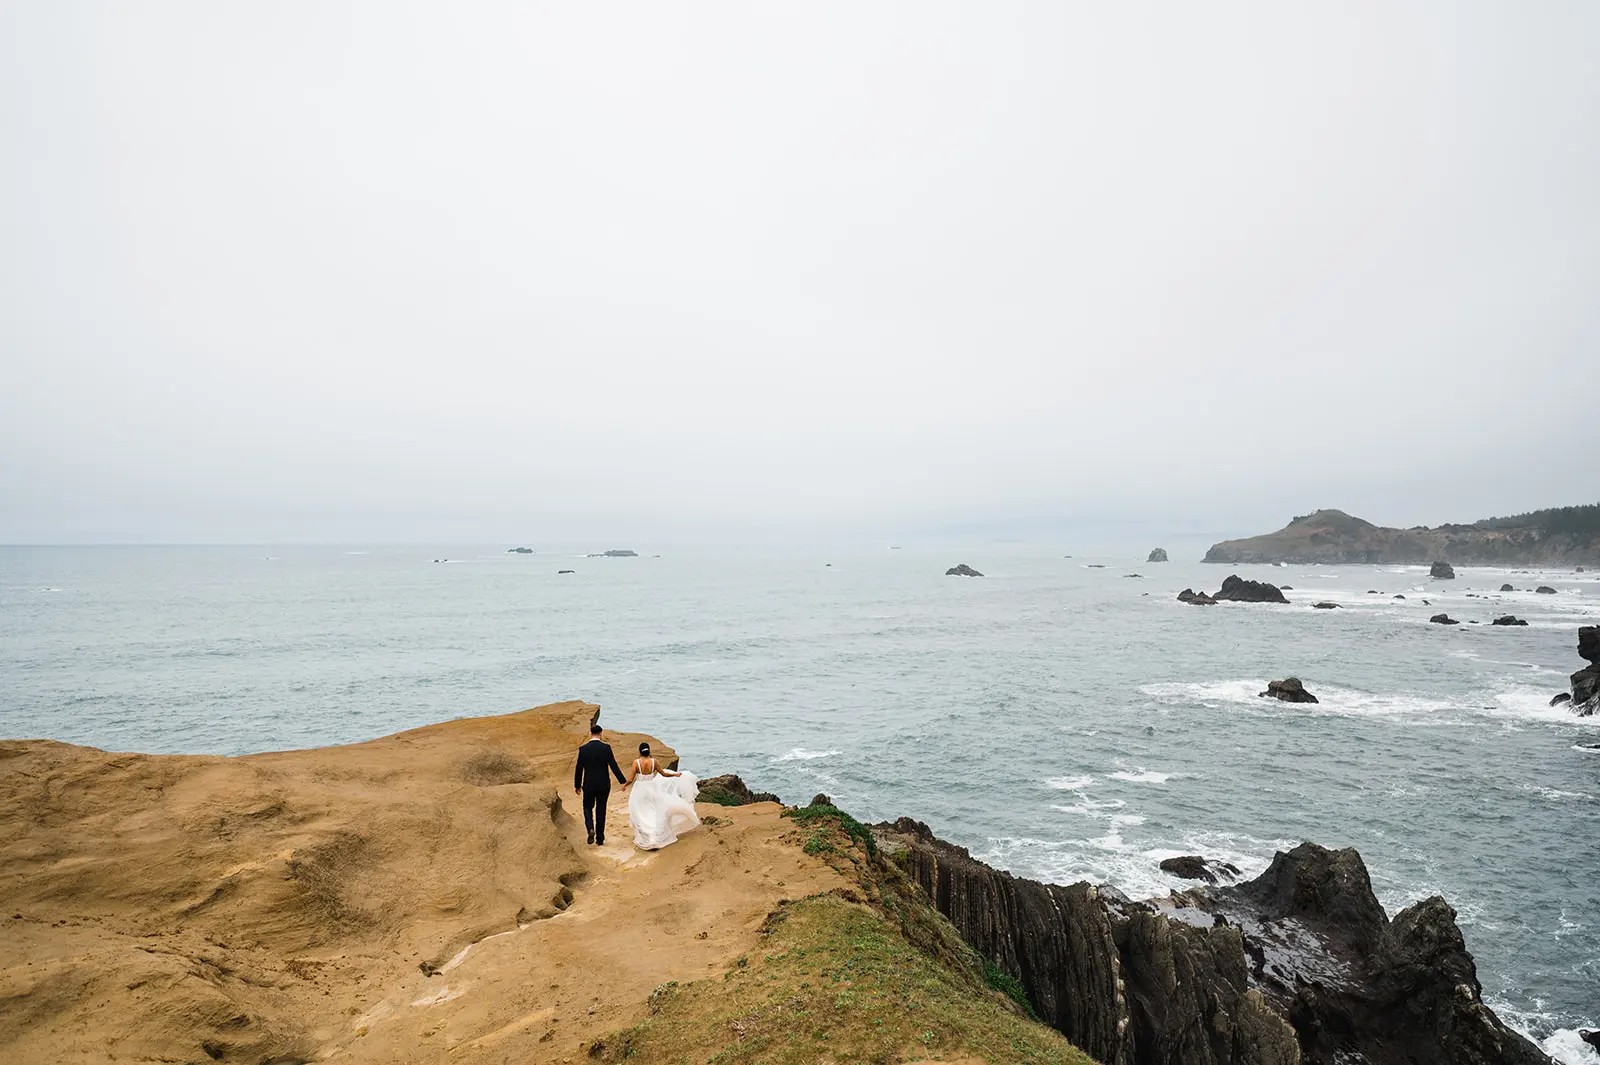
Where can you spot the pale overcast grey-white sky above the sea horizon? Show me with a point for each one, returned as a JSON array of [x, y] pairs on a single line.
[[335, 273]]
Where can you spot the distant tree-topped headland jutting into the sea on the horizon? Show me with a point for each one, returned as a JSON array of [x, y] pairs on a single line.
[[1546, 538]]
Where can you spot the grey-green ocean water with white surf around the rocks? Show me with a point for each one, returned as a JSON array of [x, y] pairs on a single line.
[[1063, 722]]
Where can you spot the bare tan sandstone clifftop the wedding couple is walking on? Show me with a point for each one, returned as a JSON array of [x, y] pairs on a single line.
[[420, 898]]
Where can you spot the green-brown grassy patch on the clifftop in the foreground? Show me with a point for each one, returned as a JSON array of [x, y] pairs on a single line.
[[834, 981]]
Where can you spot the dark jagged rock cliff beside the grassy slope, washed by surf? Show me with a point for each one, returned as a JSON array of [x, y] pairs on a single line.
[[1300, 965]]
